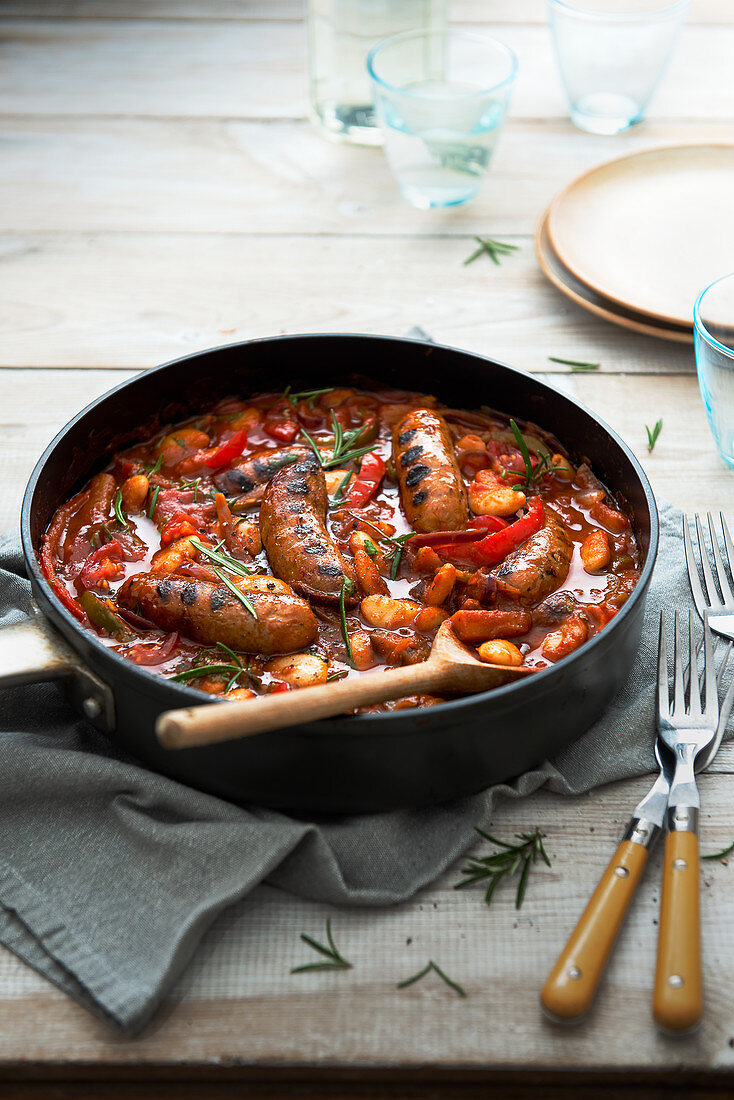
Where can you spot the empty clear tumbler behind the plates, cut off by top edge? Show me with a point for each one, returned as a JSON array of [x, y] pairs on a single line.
[[612, 56]]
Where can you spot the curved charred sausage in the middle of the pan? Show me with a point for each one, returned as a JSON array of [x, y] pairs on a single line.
[[293, 530]]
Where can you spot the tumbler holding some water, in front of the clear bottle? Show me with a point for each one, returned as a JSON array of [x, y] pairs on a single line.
[[441, 100]]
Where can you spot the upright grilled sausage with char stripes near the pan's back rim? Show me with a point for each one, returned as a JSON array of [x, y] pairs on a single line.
[[432, 489]]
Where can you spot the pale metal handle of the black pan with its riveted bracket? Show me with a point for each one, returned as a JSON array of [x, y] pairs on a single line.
[[31, 651]]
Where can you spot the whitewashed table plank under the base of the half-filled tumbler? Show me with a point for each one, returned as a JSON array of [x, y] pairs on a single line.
[[192, 177]]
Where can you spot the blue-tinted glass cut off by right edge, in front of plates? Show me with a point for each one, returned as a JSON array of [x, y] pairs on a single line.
[[714, 336]]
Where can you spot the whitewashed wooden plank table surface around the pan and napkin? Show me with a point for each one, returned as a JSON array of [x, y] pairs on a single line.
[[162, 192]]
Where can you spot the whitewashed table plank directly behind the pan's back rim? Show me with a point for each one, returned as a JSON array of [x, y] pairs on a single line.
[[132, 301]]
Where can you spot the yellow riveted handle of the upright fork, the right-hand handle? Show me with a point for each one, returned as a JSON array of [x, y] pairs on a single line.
[[678, 998]]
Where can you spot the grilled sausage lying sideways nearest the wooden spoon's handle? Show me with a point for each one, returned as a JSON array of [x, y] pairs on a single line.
[[210, 613]]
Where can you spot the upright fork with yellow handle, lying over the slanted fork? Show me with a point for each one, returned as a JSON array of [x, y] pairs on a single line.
[[686, 728]]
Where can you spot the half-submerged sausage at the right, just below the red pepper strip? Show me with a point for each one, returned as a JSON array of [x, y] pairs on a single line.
[[540, 566]]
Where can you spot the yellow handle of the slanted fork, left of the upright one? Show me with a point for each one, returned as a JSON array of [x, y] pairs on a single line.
[[572, 985]]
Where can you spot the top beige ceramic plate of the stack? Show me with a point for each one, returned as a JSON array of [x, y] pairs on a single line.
[[650, 232]]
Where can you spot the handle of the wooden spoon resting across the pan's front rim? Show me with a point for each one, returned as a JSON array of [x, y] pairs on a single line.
[[204, 725]]
